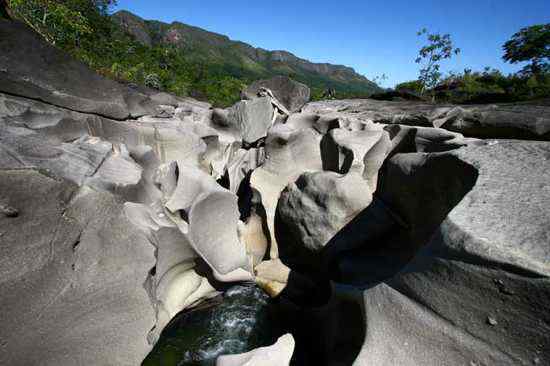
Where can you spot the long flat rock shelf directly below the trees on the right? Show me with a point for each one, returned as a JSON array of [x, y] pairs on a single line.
[[503, 121]]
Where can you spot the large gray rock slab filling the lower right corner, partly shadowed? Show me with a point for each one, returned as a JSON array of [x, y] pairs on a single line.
[[475, 294]]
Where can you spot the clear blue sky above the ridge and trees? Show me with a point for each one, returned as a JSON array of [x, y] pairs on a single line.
[[373, 37]]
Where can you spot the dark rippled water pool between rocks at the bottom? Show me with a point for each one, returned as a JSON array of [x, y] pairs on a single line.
[[240, 323]]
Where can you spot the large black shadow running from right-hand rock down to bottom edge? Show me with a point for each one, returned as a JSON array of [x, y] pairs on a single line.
[[415, 194]]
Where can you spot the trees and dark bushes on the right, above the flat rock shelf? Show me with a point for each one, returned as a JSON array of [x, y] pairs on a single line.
[[530, 45]]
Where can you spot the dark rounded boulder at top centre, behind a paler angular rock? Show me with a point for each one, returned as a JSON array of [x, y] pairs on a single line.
[[291, 93]]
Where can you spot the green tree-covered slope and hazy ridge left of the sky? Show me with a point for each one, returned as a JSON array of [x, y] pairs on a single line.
[[177, 58]]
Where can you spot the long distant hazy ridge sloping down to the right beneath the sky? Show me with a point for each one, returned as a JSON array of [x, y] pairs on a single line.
[[242, 60]]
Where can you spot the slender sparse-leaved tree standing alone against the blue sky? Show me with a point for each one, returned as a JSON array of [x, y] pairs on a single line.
[[440, 47]]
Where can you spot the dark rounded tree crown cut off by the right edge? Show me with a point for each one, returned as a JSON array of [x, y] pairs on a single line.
[[531, 44]]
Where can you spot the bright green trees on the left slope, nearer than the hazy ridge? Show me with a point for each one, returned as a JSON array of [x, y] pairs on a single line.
[[84, 29]]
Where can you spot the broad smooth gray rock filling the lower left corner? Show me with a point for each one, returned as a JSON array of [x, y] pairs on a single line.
[[73, 275]]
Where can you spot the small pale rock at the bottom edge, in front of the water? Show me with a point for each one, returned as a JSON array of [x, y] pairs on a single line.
[[279, 354]]
